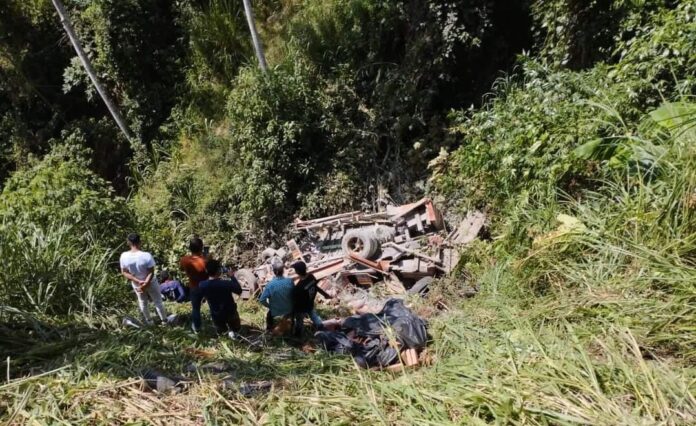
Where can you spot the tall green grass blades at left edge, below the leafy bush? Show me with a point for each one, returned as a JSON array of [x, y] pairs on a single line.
[[55, 269]]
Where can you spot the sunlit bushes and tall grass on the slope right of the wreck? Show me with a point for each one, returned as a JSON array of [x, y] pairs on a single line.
[[592, 196]]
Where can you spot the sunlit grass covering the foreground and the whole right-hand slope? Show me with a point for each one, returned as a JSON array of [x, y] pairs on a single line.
[[589, 319]]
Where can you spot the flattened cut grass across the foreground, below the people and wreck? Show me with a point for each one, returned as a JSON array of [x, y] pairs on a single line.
[[493, 361]]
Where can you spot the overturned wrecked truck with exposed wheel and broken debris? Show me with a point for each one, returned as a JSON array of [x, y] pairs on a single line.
[[405, 246]]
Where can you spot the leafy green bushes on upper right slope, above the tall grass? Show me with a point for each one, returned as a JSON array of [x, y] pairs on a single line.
[[555, 129]]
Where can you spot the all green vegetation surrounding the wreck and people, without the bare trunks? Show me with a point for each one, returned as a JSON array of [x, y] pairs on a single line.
[[571, 123]]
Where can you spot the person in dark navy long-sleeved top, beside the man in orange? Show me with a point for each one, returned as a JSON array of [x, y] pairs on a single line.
[[218, 293]]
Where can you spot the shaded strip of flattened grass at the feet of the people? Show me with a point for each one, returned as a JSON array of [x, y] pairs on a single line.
[[105, 346]]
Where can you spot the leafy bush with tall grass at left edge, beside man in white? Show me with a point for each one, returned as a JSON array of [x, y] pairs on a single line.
[[61, 226]]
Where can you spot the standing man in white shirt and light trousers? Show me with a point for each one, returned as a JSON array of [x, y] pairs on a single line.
[[139, 268]]
